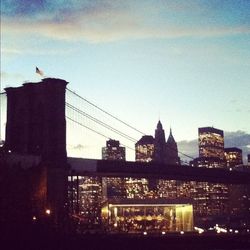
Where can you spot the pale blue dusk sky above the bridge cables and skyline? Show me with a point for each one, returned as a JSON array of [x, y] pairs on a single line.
[[183, 62]]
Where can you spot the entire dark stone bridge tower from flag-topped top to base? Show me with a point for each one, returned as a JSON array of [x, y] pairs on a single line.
[[36, 126]]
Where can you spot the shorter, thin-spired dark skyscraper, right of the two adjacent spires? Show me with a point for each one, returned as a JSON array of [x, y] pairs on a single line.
[[172, 150]]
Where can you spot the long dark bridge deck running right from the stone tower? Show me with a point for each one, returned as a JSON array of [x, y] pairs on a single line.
[[105, 168]]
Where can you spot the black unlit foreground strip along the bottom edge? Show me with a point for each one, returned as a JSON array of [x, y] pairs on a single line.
[[46, 240]]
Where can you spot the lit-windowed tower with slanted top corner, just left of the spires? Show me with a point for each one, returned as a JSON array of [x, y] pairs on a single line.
[[144, 149]]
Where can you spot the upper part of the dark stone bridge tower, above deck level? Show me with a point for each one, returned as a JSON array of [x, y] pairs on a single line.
[[36, 119]]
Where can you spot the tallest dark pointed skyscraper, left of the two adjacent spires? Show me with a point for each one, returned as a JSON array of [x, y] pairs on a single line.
[[160, 151]]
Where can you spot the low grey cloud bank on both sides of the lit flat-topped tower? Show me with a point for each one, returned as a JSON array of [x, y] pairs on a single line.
[[239, 139]]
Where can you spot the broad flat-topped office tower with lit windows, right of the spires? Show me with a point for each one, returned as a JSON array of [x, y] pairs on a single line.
[[211, 143]]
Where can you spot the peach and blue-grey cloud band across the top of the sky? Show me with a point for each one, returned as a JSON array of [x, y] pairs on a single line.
[[107, 21]]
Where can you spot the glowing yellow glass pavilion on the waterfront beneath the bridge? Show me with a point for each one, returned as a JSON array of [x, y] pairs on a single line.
[[137, 216]]
